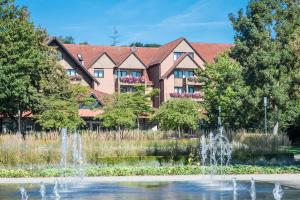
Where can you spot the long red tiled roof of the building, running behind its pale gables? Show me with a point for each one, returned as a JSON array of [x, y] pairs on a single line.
[[148, 55]]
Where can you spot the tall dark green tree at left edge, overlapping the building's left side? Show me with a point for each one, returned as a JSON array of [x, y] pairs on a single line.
[[28, 68]]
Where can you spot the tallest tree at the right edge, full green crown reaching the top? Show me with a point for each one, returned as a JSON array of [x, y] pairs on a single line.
[[269, 65]]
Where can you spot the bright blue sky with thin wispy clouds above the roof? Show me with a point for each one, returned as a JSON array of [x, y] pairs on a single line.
[[147, 21]]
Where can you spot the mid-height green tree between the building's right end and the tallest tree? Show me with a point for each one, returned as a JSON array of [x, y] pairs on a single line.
[[224, 87]]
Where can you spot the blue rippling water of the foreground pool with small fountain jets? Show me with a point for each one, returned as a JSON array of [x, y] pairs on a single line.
[[150, 191]]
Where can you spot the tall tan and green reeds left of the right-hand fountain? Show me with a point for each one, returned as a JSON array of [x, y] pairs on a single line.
[[44, 148]]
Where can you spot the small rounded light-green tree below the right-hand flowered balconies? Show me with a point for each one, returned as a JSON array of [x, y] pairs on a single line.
[[179, 114]]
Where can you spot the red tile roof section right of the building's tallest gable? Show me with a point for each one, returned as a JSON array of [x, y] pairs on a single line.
[[210, 51]]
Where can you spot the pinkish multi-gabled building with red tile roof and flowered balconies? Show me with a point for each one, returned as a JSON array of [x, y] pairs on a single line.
[[109, 69]]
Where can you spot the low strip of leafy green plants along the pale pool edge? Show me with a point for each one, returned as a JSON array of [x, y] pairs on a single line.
[[130, 171]]
